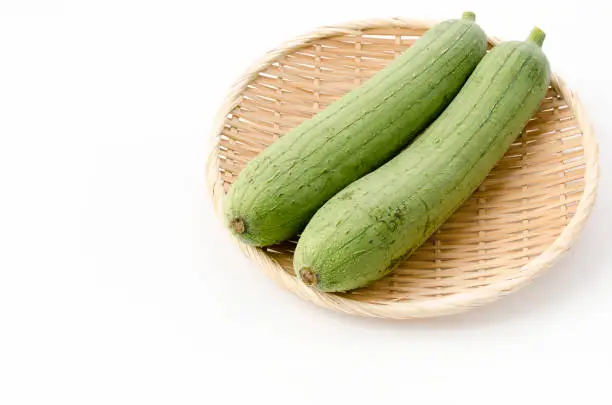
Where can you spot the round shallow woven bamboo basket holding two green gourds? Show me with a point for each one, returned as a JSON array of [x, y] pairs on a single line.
[[527, 212]]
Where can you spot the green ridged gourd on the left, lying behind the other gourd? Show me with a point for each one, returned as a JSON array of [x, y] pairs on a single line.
[[278, 192]]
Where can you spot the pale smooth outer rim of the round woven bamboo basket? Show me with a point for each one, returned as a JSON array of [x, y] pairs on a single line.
[[438, 306]]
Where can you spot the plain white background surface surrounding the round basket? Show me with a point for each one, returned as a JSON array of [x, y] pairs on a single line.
[[118, 285]]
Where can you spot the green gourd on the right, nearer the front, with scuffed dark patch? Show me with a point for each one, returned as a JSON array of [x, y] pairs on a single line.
[[358, 235]]
